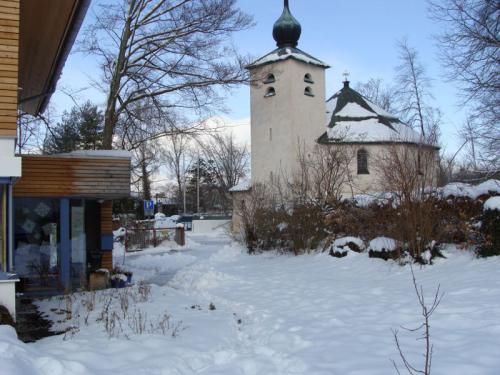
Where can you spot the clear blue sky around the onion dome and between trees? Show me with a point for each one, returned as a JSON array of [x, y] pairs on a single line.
[[355, 35]]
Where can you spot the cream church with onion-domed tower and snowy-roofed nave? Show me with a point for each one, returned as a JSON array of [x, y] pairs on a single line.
[[290, 113]]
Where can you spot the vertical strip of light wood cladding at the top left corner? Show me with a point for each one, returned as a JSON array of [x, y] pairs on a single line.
[[9, 66]]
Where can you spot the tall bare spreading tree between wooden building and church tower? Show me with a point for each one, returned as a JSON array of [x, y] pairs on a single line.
[[172, 53]]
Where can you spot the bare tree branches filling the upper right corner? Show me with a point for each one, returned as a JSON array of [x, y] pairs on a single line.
[[470, 51]]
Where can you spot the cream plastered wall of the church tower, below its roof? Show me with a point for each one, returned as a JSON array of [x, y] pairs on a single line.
[[293, 117]]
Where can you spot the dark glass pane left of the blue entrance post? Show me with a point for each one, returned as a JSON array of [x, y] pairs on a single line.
[[37, 243]]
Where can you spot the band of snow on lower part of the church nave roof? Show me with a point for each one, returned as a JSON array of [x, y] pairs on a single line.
[[371, 130]]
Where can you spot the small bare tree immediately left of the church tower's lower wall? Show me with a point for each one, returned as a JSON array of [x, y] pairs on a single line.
[[229, 162]]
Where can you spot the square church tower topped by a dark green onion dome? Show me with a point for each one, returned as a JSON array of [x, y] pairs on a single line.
[[287, 102]]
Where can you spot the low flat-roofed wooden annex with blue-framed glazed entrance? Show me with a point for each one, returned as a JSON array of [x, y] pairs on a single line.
[[63, 217]]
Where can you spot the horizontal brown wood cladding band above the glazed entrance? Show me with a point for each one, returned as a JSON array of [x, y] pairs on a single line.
[[80, 177]]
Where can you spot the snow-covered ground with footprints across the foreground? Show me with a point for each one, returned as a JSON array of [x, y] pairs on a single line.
[[272, 314]]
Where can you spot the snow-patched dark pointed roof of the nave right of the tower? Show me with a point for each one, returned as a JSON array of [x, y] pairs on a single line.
[[352, 118]]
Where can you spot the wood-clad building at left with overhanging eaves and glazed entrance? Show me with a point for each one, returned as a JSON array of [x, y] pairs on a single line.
[[65, 200]]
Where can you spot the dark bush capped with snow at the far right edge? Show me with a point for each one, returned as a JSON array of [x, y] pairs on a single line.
[[490, 228]]
